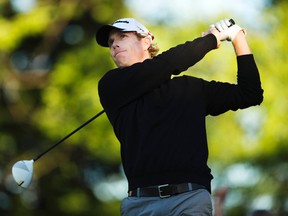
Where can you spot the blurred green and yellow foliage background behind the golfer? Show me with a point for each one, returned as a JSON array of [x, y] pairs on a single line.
[[49, 72]]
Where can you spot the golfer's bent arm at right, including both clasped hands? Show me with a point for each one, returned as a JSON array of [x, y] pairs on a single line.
[[247, 92]]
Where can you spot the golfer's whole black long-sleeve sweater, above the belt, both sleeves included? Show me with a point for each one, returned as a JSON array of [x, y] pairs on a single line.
[[160, 120]]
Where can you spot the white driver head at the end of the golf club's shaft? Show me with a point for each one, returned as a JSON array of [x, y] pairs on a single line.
[[22, 172]]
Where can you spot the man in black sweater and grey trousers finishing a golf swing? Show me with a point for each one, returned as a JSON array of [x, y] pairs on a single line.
[[160, 120]]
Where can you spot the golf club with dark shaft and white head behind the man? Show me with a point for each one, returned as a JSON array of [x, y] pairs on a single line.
[[22, 171]]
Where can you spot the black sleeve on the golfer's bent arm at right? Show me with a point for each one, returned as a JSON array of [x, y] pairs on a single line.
[[222, 97]]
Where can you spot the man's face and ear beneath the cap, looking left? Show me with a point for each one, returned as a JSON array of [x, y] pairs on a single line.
[[127, 49]]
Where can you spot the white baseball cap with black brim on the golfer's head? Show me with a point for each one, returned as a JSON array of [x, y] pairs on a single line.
[[124, 24]]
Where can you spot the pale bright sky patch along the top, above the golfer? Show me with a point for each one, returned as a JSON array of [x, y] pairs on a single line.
[[178, 11]]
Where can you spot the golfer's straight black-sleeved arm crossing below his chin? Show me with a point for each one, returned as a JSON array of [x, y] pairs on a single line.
[[123, 85]]
